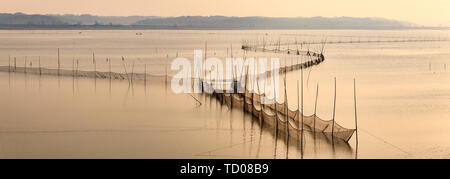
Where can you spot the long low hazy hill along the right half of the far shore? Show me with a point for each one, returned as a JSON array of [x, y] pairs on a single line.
[[219, 22]]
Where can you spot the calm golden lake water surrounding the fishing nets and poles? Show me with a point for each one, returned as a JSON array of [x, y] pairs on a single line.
[[403, 92]]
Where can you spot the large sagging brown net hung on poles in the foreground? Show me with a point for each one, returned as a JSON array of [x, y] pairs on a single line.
[[279, 116]]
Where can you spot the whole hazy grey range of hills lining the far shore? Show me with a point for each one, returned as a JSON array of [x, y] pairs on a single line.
[[24, 21]]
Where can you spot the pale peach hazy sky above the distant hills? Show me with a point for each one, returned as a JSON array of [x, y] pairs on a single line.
[[424, 12]]
